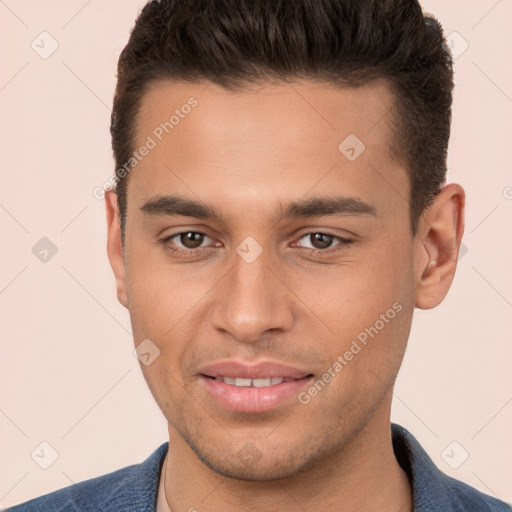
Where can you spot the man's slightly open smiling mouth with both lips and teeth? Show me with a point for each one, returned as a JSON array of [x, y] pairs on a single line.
[[241, 387]]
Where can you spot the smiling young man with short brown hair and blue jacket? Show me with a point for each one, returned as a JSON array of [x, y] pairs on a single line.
[[280, 210]]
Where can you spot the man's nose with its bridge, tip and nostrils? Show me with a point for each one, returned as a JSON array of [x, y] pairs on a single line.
[[251, 301]]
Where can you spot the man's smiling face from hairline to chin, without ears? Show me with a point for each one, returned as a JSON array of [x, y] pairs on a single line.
[[256, 282]]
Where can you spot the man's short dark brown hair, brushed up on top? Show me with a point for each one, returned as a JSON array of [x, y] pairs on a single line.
[[347, 42]]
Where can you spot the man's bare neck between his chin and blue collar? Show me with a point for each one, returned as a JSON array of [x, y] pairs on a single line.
[[363, 476]]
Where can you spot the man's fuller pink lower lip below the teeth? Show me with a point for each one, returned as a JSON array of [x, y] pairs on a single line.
[[252, 399]]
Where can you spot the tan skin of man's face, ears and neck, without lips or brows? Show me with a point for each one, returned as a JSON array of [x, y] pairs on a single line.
[[247, 154]]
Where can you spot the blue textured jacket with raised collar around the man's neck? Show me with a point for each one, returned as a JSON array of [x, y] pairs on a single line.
[[134, 488]]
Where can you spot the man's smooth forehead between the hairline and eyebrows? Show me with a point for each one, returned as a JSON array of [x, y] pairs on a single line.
[[266, 139]]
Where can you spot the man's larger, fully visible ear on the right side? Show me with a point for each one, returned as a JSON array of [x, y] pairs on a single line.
[[437, 248]]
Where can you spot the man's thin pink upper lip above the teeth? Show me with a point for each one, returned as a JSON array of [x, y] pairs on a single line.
[[260, 370]]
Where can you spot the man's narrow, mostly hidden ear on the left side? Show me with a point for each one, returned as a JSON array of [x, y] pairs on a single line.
[[114, 246]]
